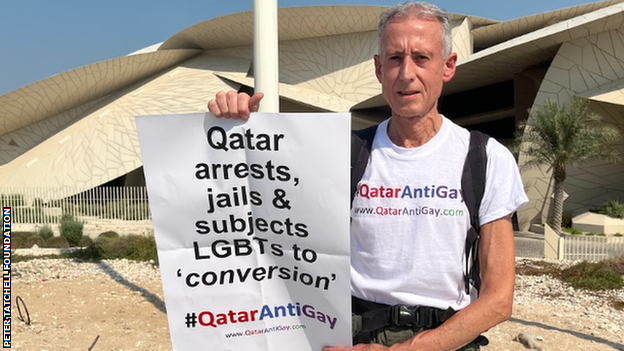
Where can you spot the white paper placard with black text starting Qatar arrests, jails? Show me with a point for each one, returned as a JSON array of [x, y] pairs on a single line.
[[252, 226]]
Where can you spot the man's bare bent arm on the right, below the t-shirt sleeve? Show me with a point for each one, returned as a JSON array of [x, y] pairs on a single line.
[[494, 305]]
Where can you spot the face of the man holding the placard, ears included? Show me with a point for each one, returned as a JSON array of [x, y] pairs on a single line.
[[411, 67]]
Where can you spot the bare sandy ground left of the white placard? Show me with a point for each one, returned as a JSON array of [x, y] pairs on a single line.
[[69, 314]]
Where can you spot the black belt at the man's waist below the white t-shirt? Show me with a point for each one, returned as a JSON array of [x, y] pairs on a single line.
[[376, 315]]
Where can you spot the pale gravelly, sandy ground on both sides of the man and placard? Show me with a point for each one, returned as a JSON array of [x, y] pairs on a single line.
[[118, 305]]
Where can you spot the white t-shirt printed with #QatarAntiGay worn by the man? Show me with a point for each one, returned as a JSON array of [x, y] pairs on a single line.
[[409, 221]]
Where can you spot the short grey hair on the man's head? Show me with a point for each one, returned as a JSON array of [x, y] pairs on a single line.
[[421, 10]]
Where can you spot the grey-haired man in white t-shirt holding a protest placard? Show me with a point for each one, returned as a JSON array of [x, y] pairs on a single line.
[[417, 260]]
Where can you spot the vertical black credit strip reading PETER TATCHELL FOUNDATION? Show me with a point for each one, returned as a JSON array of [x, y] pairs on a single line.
[[6, 278]]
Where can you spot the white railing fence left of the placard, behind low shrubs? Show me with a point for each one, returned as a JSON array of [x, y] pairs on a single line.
[[48, 205]]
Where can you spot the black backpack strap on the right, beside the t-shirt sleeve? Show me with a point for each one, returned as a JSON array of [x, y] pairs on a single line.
[[473, 187]]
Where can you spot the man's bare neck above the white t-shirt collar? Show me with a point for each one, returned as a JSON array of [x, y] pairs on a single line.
[[414, 132]]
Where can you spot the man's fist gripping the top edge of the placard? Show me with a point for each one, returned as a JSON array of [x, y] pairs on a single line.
[[234, 105]]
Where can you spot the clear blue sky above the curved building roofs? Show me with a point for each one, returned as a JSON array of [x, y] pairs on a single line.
[[40, 38]]
